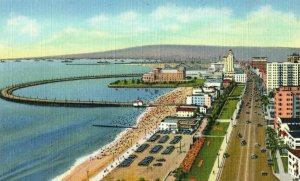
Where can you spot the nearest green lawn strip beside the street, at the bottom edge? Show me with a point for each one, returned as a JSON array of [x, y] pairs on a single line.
[[209, 155]]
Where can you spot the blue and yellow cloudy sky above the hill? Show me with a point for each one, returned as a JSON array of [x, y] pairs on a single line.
[[34, 28]]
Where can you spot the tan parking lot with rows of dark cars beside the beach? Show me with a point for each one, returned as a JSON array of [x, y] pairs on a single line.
[[159, 155]]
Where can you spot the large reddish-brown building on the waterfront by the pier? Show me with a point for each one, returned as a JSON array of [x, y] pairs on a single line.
[[159, 75]]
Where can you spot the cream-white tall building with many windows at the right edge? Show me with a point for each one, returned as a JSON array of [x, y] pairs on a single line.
[[282, 74]]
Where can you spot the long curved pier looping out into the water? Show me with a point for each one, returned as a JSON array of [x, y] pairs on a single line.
[[7, 93]]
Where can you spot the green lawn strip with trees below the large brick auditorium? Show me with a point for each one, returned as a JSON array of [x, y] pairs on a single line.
[[135, 83]]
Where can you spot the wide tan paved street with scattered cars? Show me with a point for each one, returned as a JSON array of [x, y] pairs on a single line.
[[251, 126]]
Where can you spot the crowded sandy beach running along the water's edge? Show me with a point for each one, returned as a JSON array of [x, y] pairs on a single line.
[[146, 123]]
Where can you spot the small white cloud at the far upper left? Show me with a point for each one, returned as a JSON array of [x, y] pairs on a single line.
[[24, 25]]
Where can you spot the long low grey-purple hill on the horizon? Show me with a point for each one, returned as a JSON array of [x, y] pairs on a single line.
[[190, 52]]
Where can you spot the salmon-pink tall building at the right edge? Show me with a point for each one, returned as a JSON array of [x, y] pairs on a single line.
[[287, 102]]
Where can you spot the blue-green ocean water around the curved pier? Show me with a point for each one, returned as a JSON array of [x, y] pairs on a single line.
[[40, 142]]
